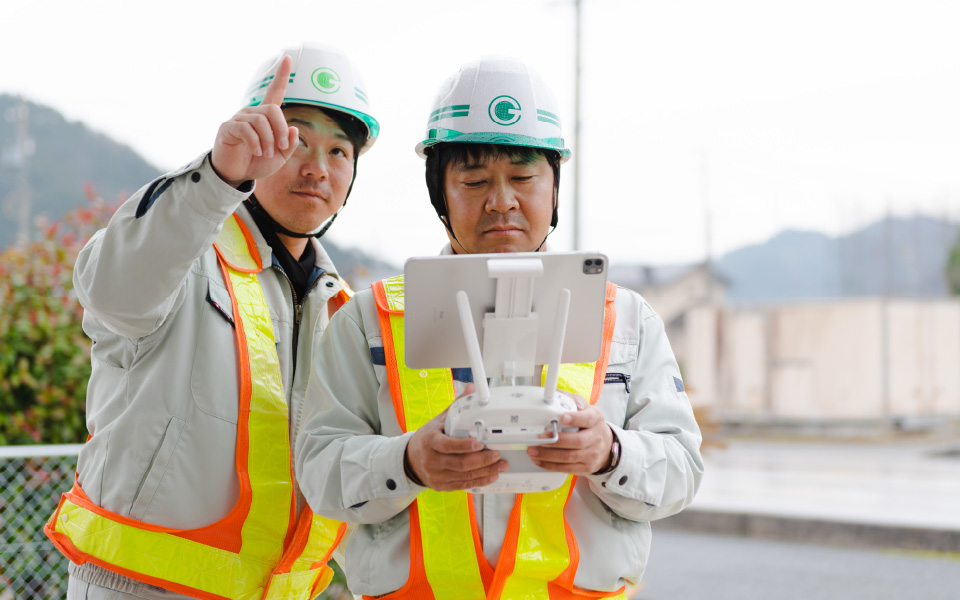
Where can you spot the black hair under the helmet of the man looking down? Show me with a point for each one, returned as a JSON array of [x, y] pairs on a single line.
[[441, 155]]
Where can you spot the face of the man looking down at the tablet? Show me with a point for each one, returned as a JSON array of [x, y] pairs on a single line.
[[499, 204]]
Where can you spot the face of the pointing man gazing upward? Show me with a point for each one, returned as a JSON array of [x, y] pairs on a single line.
[[312, 185]]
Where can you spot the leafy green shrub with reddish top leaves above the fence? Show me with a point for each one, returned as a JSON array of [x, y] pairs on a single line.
[[44, 354]]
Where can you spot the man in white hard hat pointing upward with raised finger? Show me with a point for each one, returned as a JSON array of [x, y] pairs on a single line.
[[203, 297]]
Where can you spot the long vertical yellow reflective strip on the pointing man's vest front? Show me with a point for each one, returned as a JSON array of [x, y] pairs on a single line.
[[268, 459]]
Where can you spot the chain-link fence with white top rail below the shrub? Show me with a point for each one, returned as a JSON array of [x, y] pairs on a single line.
[[31, 481]]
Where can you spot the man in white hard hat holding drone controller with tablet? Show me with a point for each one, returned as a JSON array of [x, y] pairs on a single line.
[[372, 449]]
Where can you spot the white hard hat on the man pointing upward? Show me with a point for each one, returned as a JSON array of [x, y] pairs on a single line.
[[321, 76]]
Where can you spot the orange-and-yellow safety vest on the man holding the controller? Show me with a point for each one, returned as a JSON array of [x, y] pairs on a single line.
[[539, 556]]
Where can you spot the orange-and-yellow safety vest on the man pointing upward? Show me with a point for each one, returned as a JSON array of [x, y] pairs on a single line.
[[260, 550]]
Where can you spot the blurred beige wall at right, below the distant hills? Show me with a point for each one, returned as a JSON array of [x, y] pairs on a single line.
[[862, 359]]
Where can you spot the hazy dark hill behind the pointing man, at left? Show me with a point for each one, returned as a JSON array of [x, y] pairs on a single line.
[[68, 155]]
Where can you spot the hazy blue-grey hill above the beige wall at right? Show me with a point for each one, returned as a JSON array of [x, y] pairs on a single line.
[[899, 256]]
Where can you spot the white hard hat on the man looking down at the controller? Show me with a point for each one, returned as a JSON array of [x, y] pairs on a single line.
[[495, 100]]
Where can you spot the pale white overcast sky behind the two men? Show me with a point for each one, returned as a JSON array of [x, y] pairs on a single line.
[[816, 115]]
